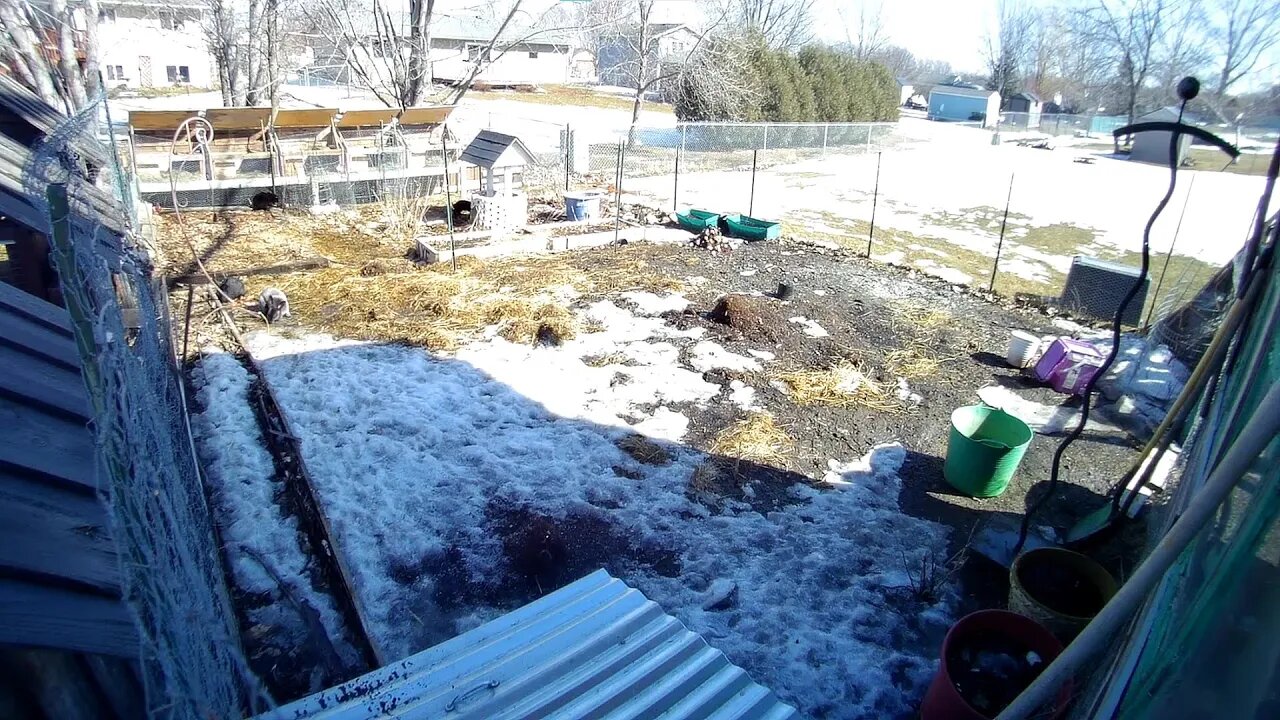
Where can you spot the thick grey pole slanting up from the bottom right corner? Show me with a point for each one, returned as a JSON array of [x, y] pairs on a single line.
[[1258, 434]]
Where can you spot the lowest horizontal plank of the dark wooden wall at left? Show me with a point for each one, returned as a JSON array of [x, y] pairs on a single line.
[[44, 617]]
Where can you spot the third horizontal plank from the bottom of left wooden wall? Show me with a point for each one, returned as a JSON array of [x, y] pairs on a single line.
[[39, 443]]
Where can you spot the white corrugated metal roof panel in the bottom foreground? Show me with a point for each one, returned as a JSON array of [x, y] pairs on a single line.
[[595, 649]]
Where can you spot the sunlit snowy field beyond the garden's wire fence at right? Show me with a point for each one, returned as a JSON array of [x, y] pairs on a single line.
[[950, 185]]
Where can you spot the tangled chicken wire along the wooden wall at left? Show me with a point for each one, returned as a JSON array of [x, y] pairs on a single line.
[[193, 664]]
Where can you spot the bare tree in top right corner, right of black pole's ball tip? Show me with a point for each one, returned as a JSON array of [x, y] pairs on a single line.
[[1242, 34]]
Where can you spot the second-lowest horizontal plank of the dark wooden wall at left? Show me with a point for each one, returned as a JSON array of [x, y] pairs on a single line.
[[51, 531]]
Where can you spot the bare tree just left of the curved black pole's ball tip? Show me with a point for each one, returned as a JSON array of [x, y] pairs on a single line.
[[1130, 31]]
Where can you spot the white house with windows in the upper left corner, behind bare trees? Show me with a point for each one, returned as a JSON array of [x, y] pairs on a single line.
[[154, 44]]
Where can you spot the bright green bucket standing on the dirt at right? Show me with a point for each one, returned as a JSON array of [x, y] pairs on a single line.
[[985, 450]]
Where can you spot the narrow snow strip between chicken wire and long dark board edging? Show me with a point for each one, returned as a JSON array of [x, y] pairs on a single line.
[[243, 480]]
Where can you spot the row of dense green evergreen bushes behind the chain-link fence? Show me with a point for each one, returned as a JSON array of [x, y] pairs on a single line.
[[815, 85]]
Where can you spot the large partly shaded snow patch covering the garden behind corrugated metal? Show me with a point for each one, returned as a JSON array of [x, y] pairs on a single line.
[[422, 459]]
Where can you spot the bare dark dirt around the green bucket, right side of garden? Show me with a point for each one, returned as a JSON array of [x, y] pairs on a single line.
[[871, 312]]
